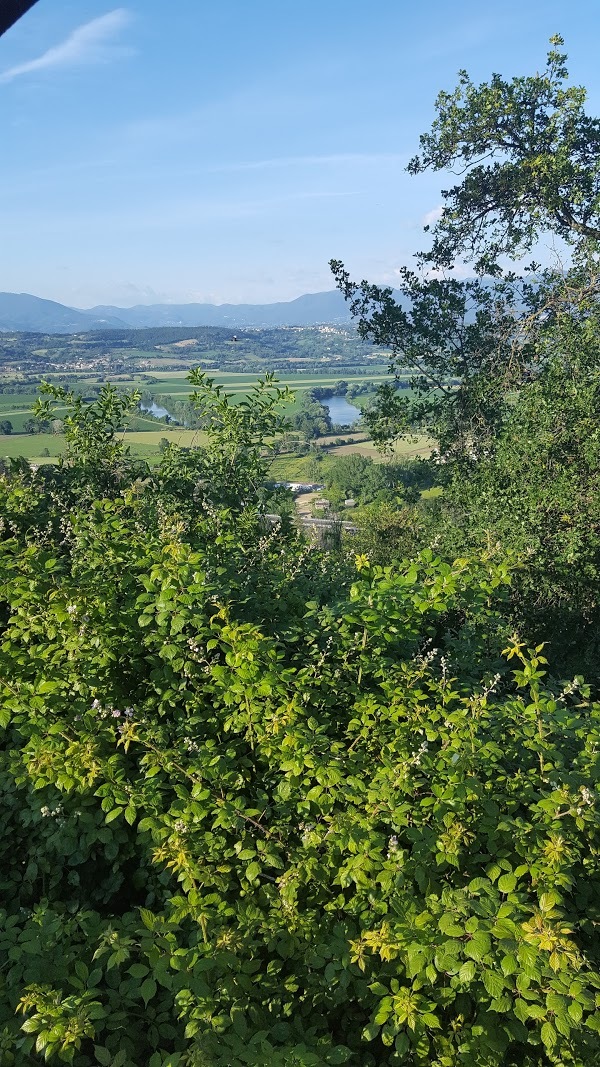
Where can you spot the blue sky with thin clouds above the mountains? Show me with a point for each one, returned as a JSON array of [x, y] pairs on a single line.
[[180, 152]]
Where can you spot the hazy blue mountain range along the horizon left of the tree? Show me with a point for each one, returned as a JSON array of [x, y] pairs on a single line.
[[22, 312]]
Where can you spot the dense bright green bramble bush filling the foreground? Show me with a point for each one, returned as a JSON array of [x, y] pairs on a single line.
[[264, 806]]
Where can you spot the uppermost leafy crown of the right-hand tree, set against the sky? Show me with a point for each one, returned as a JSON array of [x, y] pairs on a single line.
[[530, 161]]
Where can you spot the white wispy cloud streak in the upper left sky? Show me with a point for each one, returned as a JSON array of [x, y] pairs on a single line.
[[91, 43]]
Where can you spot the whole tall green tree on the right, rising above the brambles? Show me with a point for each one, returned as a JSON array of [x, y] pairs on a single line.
[[506, 370]]
